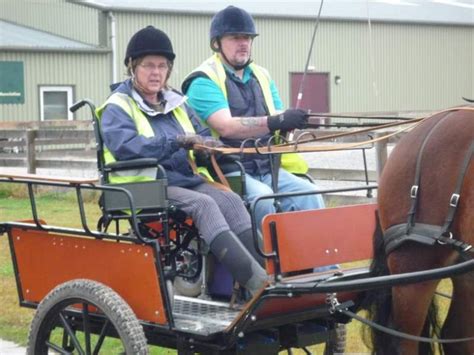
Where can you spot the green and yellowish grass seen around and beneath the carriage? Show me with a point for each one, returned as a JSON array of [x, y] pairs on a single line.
[[59, 208]]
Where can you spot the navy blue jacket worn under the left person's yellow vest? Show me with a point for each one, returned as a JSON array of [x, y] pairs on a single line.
[[122, 139]]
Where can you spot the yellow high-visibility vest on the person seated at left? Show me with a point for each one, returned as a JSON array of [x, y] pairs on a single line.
[[129, 106]]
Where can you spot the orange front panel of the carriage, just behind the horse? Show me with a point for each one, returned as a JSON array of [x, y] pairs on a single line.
[[309, 239]]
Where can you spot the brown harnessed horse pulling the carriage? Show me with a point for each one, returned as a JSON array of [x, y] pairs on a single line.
[[440, 149]]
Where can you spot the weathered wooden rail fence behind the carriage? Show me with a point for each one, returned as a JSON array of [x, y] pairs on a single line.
[[71, 145]]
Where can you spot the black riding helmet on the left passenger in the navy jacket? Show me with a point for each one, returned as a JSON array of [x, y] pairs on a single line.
[[149, 40]]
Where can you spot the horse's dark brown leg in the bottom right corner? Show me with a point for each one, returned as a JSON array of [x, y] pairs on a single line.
[[460, 320]]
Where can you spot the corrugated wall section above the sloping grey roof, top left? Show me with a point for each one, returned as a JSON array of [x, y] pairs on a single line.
[[56, 16]]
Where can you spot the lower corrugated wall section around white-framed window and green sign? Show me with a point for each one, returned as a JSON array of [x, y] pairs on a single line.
[[85, 72]]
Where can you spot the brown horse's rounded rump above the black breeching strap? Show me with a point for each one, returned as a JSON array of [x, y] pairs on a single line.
[[451, 134]]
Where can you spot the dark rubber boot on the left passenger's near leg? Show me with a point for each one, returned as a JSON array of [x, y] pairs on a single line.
[[230, 251]]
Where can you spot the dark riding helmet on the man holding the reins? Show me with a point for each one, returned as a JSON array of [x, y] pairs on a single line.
[[231, 21]]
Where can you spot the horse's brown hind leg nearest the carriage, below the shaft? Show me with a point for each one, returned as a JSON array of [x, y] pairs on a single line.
[[410, 305]]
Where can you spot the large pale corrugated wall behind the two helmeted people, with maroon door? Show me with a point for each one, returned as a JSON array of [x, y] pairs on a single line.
[[393, 67]]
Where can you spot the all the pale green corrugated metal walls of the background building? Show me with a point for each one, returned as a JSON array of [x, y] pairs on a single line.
[[400, 67]]
